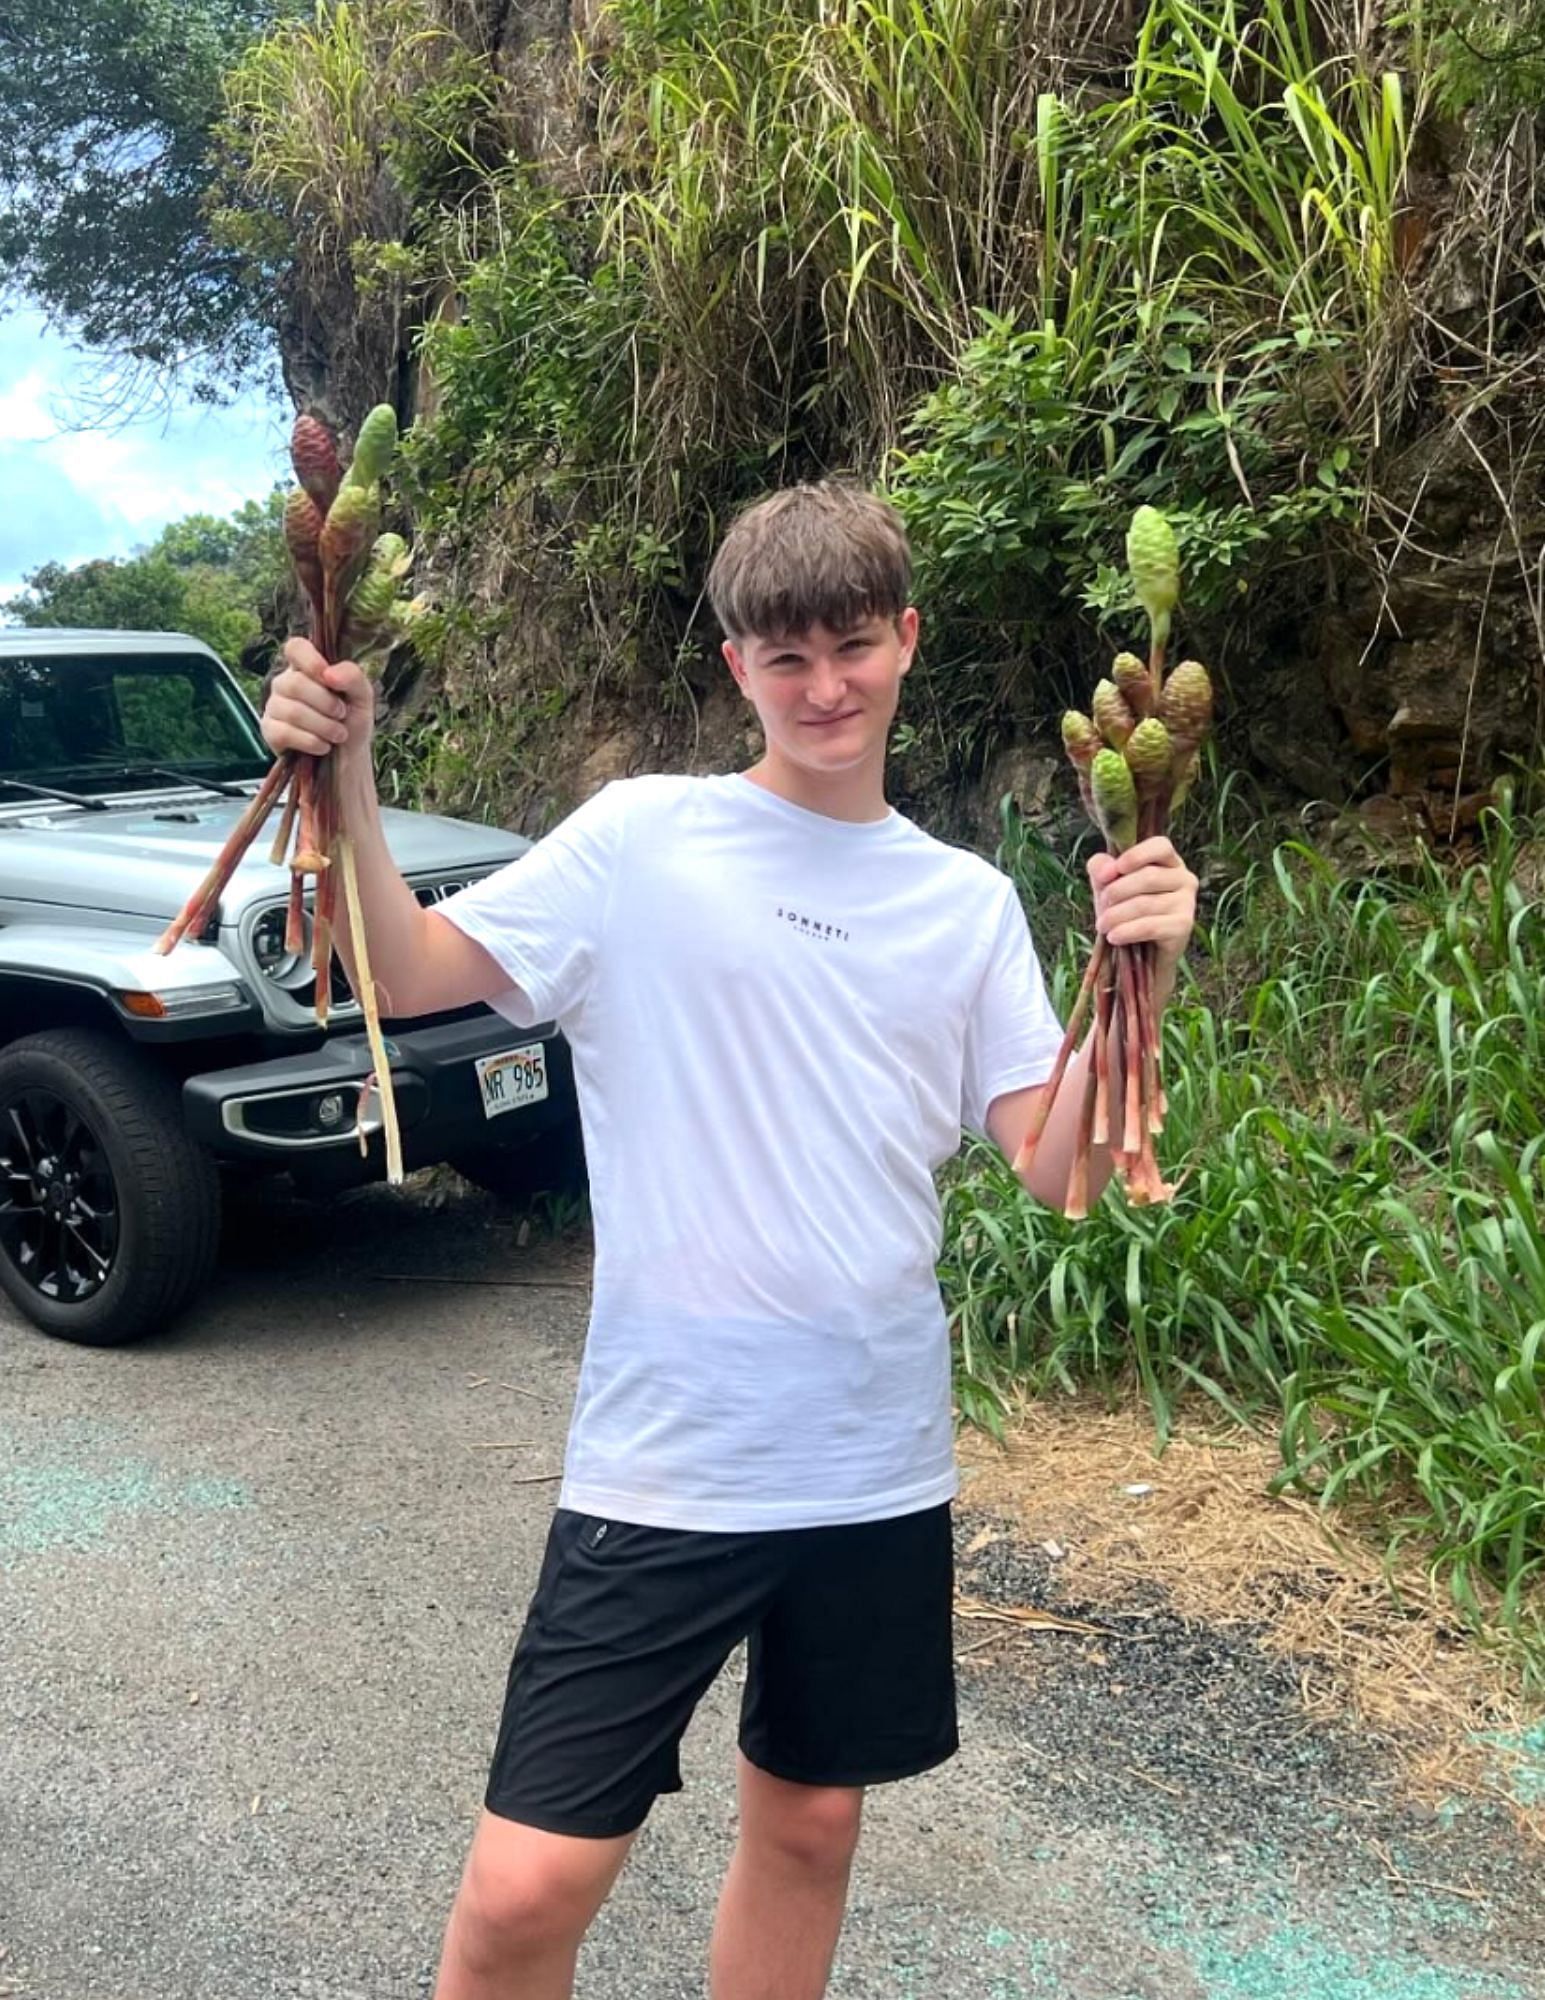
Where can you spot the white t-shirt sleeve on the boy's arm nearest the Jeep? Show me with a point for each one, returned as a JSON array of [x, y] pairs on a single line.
[[543, 917]]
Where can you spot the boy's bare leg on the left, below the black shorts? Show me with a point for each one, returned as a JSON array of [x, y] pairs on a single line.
[[521, 1913]]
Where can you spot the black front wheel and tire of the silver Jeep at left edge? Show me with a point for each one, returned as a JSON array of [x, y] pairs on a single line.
[[109, 1213]]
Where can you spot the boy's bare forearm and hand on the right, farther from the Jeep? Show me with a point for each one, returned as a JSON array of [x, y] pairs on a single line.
[[1142, 897]]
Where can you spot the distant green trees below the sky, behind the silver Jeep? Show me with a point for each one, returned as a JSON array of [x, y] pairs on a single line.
[[221, 579]]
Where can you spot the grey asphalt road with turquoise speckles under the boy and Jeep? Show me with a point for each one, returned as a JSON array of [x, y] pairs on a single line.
[[259, 1583]]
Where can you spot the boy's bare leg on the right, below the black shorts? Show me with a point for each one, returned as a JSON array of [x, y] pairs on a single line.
[[788, 1889]]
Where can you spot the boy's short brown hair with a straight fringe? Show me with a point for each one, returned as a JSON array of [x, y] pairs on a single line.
[[828, 553]]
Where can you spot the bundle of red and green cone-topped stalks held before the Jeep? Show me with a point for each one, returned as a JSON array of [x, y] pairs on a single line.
[[351, 575]]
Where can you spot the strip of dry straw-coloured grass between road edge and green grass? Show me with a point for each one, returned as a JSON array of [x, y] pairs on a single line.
[[1372, 1641]]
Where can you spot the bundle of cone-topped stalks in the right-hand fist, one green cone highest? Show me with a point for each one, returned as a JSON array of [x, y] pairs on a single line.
[[1136, 757]]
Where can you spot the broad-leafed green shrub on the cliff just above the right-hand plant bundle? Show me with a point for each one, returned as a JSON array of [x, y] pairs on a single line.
[[1020, 477]]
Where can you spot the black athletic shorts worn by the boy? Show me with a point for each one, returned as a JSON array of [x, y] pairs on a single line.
[[852, 1667]]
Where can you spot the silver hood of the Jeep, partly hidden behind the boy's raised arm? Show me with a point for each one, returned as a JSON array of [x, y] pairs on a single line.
[[145, 861]]
